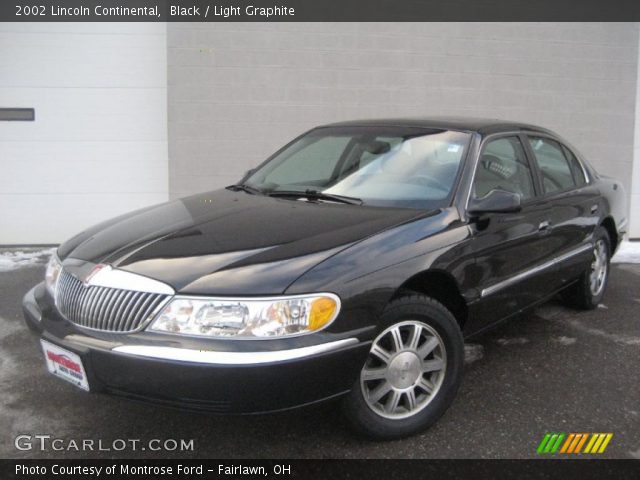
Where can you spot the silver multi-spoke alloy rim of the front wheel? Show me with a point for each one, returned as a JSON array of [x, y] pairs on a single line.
[[404, 370]]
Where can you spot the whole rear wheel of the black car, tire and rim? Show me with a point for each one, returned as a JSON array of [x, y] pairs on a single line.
[[588, 292]]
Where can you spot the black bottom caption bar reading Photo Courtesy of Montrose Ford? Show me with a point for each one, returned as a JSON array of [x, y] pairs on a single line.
[[584, 469]]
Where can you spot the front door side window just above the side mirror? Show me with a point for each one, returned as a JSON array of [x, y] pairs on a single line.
[[503, 166]]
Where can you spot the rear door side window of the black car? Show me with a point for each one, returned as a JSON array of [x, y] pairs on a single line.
[[554, 167]]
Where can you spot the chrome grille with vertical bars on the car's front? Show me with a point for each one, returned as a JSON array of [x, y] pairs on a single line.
[[104, 308]]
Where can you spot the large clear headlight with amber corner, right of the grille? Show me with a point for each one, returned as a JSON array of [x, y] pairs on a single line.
[[248, 318]]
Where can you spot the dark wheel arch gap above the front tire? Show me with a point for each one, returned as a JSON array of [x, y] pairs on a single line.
[[441, 286]]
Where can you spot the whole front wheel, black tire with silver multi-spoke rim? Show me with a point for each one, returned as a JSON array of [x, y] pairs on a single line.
[[409, 314]]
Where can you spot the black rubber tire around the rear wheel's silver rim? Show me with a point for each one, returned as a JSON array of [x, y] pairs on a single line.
[[581, 295]]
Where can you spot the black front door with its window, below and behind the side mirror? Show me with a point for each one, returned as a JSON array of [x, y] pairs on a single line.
[[510, 249]]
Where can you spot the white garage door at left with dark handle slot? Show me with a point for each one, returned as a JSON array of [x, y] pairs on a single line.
[[97, 144]]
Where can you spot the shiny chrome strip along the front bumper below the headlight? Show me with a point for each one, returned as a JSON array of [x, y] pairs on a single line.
[[231, 358]]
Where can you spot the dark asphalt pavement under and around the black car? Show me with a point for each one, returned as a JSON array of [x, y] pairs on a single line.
[[554, 370]]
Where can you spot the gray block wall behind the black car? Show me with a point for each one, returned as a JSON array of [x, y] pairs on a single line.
[[238, 91]]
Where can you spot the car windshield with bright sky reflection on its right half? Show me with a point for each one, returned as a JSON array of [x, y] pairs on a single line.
[[380, 166]]
